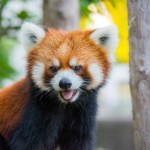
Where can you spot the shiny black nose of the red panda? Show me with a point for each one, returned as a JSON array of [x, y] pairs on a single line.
[[65, 83]]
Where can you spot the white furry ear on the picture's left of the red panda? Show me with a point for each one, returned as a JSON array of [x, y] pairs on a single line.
[[31, 34]]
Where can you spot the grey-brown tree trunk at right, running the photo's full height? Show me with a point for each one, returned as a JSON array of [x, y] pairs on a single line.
[[139, 42]]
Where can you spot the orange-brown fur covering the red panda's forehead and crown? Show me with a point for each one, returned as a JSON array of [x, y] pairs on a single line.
[[67, 45]]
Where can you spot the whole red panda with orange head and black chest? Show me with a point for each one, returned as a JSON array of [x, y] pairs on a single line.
[[55, 104]]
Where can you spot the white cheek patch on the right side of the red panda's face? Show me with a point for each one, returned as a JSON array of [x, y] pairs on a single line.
[[97, 75]]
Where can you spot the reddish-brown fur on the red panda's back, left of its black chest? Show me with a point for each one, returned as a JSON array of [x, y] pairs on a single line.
[[12, 101]]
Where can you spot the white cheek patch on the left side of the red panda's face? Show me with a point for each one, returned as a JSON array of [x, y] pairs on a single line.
[[37, 75]]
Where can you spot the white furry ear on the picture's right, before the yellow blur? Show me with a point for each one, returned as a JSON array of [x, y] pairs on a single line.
[[106, 37]]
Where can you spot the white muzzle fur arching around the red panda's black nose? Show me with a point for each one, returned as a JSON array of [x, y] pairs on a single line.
[[68, 73]]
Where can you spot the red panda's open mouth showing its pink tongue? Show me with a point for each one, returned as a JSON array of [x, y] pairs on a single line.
[[68, 94]]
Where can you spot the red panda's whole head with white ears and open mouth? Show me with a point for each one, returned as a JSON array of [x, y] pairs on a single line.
[[69, 62]]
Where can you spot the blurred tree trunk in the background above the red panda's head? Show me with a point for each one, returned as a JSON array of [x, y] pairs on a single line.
[[61, 14]]
